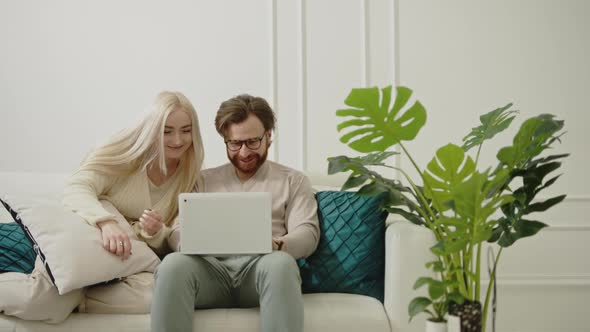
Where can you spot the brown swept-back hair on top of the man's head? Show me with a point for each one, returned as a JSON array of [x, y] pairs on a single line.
[[237, 109]]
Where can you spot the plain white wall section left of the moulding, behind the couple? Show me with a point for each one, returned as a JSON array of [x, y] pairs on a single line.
[[73, 73]]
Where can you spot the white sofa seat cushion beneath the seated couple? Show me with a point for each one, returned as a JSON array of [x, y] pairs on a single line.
[[323, 312]]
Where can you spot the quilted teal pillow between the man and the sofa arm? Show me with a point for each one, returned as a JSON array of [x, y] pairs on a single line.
[[350, 257]]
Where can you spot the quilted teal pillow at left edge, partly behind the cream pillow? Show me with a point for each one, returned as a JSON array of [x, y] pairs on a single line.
[[16, 250]]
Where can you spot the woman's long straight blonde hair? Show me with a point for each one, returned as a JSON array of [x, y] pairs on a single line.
[[133, 150]]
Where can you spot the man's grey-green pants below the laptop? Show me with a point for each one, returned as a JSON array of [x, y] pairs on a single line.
[[185, 283]]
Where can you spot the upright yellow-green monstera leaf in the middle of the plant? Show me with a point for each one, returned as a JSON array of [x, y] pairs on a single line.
[[444, 172]]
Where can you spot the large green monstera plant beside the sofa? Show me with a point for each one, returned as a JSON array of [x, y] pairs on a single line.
[[461, 203]]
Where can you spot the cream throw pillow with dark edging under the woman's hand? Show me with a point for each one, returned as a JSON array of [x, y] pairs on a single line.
[[72, 249]]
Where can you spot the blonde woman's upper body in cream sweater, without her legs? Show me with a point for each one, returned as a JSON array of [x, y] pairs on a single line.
[[141, 172]]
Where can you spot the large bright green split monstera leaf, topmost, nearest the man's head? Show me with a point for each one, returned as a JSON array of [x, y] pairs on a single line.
[[375, 126]]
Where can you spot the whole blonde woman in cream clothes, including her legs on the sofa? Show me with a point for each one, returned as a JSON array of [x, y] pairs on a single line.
[[140, 172]]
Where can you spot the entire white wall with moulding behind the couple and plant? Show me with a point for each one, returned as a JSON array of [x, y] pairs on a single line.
[[72, 73]]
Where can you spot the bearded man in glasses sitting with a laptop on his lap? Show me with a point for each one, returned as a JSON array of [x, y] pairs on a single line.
[[272, 281]]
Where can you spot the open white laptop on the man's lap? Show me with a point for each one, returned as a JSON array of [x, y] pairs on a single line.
[[225, 224]]
